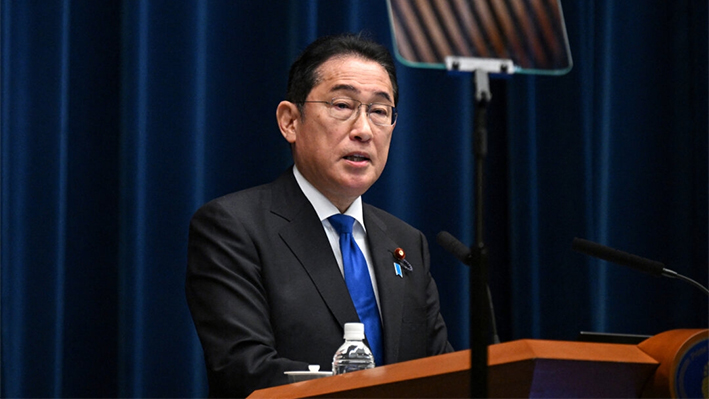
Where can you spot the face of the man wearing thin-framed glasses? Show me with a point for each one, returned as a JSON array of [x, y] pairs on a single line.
[[342, 159]]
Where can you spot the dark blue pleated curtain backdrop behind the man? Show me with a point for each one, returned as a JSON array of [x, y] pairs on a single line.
[[120, 118]]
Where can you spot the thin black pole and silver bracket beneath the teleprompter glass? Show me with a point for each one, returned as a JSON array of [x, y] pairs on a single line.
[[479, 313]]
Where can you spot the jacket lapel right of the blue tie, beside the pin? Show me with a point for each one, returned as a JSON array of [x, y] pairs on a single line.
[[391, 287]]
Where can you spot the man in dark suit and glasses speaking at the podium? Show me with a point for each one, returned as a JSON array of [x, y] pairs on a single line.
[[265, 272]]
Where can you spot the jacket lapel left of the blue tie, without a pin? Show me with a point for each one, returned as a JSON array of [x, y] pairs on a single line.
[[305, 237]]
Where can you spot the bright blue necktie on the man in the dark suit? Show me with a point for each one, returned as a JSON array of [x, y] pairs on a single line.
[[359, 284]]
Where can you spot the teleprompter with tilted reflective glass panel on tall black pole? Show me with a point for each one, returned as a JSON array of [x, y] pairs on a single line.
[[484, 38]]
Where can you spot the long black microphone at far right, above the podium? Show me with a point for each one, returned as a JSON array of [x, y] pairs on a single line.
[[633, 261]]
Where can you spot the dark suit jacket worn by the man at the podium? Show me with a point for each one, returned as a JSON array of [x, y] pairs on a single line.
[[266, 294]]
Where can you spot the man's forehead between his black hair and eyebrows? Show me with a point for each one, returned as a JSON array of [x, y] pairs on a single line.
[[353, 73]]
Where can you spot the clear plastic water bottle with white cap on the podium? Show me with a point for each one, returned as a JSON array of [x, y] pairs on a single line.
[[353, 355]]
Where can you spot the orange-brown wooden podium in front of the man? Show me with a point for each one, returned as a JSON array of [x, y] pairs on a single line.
[[524, 368]]
